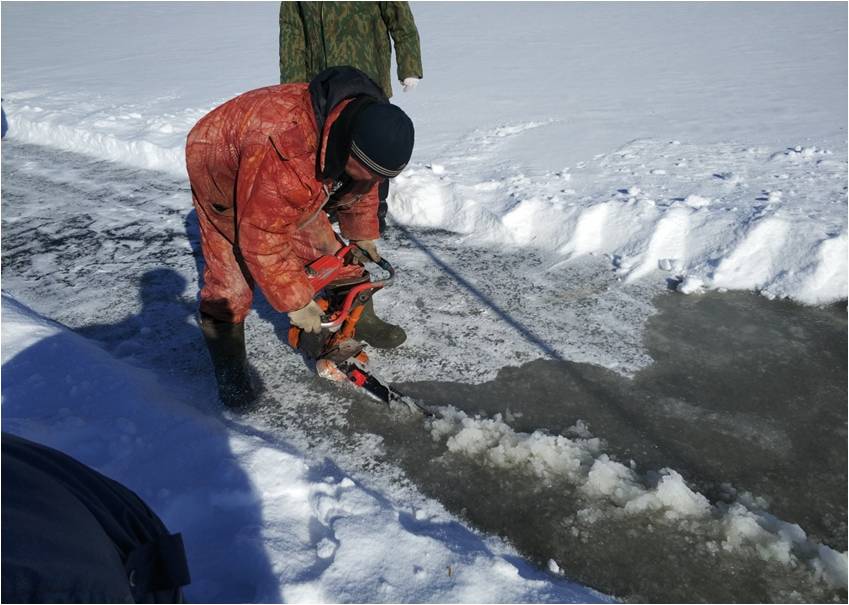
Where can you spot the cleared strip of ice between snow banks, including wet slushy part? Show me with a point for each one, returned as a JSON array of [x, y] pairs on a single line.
[[741, 397]]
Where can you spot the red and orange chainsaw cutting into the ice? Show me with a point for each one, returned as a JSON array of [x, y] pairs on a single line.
[[338, 356]]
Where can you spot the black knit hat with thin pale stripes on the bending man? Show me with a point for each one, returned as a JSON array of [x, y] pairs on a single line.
[[383, 137]]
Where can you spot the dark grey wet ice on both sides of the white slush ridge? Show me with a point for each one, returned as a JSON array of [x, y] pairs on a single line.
[[745, 392]]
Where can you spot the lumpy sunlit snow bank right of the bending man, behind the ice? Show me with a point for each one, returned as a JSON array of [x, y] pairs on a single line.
[[706, 217]]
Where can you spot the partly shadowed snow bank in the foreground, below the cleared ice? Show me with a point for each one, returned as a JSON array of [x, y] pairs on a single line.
[[261, 523]]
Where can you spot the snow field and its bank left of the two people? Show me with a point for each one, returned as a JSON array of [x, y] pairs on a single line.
[[126, 82]]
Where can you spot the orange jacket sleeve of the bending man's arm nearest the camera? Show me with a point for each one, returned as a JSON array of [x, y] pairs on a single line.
[[268, 204]]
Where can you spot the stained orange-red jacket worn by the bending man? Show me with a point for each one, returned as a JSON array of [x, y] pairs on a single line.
[[254, 172]]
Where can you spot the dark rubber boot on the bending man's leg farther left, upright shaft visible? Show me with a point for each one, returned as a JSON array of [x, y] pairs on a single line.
[[226, 344]]
